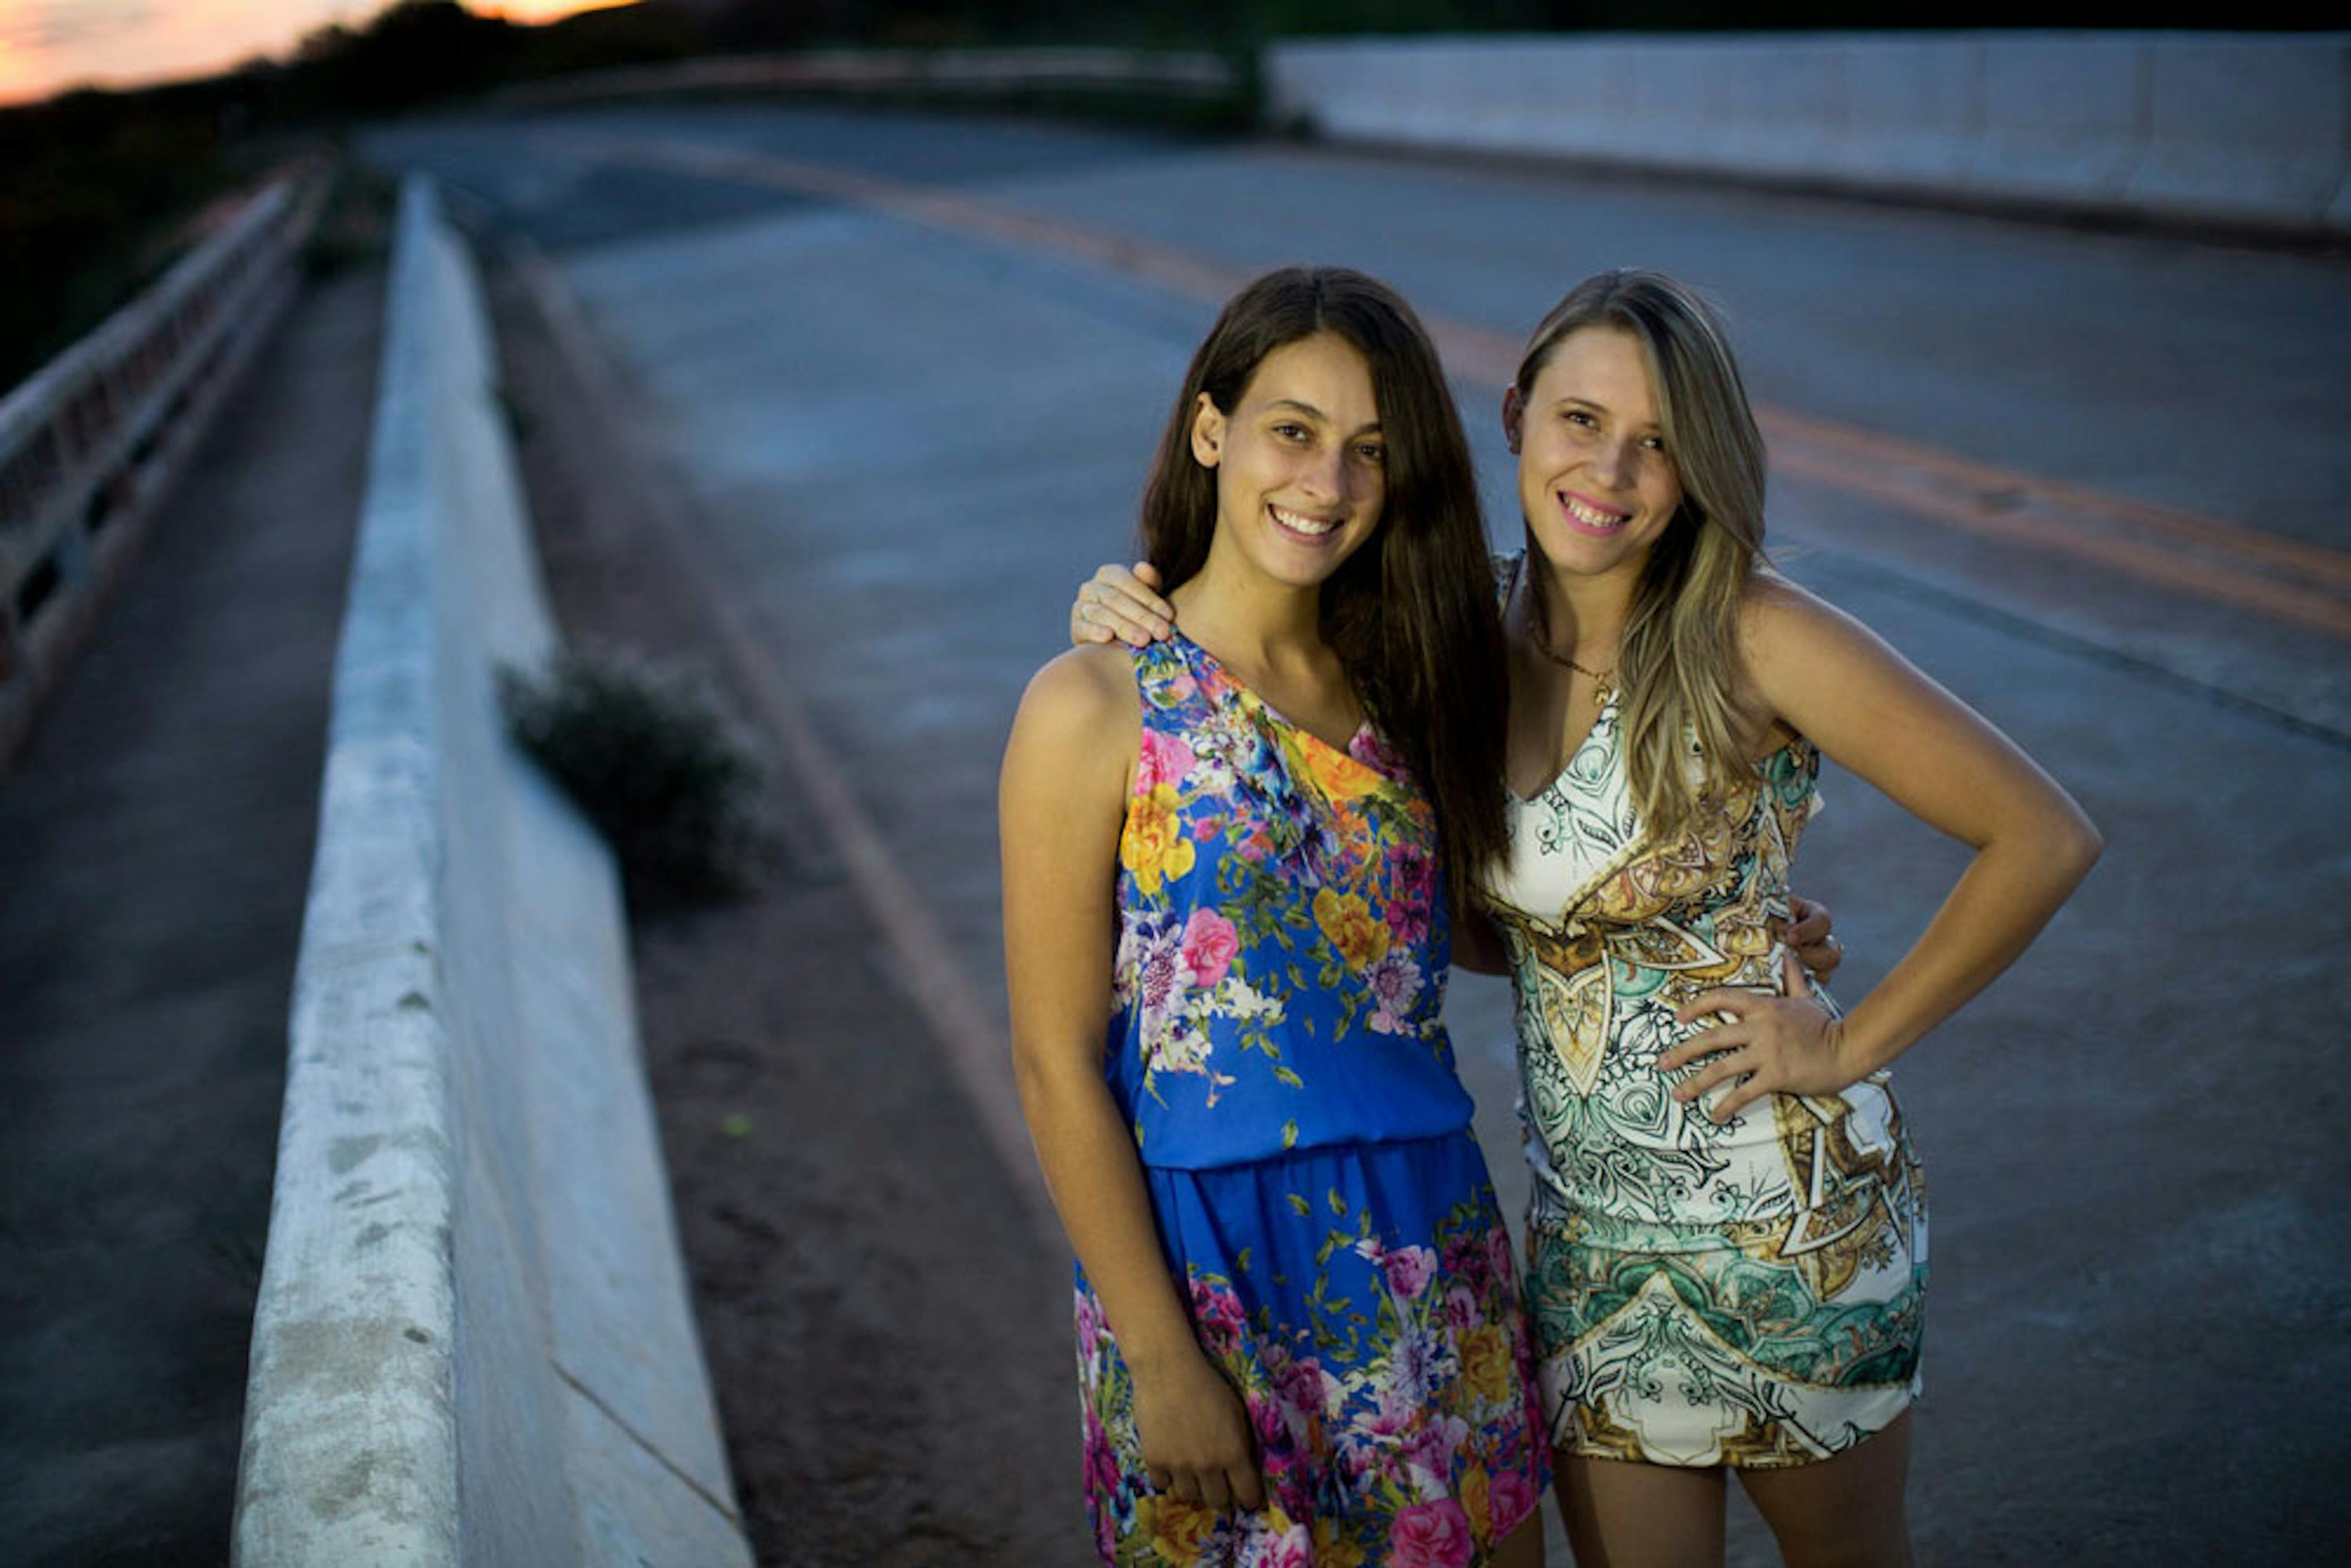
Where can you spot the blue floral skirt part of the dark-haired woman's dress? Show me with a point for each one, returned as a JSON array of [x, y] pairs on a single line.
[[1388, 1381]]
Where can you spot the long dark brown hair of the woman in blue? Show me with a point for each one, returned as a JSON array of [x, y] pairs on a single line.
[[1412, 612]]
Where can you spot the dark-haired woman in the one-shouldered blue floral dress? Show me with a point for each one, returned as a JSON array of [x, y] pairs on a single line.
[[1226, 923]]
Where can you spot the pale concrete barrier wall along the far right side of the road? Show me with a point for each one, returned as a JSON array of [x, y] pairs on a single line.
[[2183, 126]]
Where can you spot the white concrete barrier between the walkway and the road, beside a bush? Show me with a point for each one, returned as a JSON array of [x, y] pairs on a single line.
[[474, 1339]]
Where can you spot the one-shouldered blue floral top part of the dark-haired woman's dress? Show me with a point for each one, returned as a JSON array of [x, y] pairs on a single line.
[[1278, 902]]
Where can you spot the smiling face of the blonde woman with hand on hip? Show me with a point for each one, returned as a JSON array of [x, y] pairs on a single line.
[[1595, 478]]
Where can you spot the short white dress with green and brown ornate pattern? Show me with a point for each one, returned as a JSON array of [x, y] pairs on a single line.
[[1743, 1294]]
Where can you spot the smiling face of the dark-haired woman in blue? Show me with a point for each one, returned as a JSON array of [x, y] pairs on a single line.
[[1299, 462]]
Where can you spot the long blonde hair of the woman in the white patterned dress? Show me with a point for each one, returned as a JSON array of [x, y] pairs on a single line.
[[1680, 655]]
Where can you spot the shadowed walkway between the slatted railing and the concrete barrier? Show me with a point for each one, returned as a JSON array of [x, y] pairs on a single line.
[[154, 859]]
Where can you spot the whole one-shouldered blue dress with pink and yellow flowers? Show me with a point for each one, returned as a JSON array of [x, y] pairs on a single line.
[[1306, 1141]]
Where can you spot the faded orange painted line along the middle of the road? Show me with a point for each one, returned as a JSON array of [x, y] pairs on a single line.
[[2181, 551]]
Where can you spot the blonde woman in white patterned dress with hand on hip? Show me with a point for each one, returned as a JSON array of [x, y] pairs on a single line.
[[1727, 1242]]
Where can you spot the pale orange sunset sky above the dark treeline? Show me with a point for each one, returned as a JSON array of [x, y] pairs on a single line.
[[62, 43]]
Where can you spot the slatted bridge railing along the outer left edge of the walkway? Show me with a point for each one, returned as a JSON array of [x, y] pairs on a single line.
[[98, 436]]
